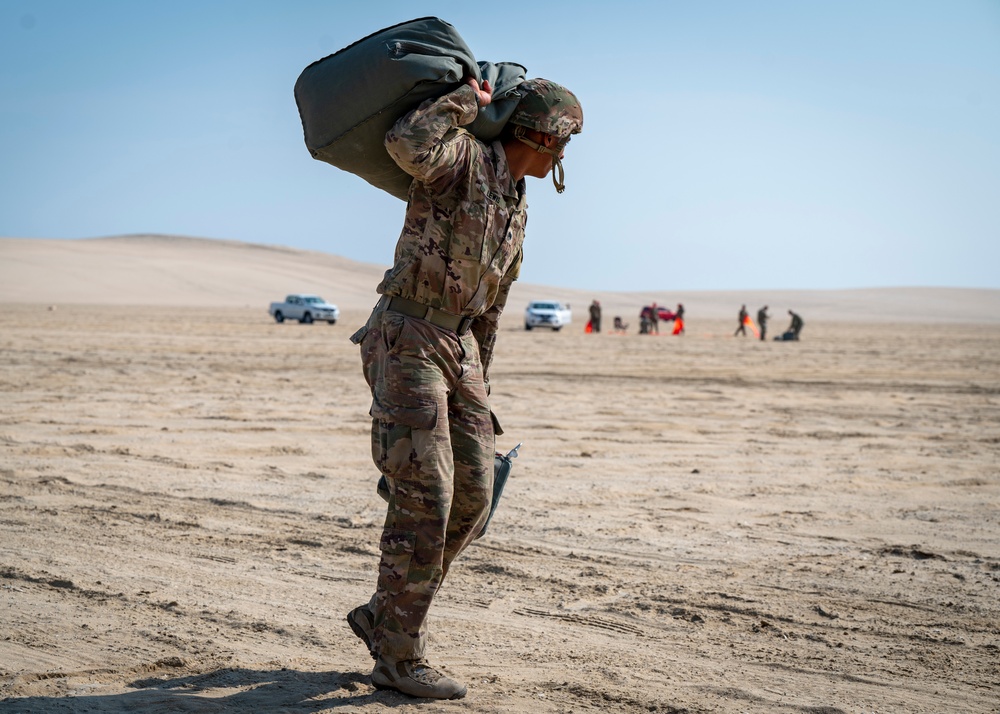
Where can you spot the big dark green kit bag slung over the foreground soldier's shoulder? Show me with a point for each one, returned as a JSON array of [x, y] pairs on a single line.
[[350, 99]]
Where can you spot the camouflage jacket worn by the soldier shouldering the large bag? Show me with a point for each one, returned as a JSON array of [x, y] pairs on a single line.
[[460, 248]]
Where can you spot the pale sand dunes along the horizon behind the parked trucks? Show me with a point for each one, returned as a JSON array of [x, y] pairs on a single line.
[[168, 270]]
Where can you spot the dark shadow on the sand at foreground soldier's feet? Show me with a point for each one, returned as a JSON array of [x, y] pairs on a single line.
[[225, 690]]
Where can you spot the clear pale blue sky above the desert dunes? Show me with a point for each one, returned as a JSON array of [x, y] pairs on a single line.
[[727, 144]]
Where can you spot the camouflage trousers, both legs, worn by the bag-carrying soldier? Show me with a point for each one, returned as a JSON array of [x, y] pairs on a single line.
[[432, 438]]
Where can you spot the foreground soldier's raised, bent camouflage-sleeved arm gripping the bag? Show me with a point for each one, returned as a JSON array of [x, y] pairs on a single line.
[[424, 142]]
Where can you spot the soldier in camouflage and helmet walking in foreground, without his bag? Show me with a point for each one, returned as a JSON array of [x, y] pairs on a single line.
[[427, 347]]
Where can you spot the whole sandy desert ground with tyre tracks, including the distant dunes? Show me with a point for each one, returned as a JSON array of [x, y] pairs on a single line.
[[700, 523]]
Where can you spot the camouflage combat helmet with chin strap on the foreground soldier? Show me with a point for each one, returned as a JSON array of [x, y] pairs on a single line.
[[551, 109]]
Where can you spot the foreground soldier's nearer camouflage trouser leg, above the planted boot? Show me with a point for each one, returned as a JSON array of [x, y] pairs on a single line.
[[412, 448]]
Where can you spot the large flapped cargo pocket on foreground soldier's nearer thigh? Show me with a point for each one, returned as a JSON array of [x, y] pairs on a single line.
[[395, 416]]
